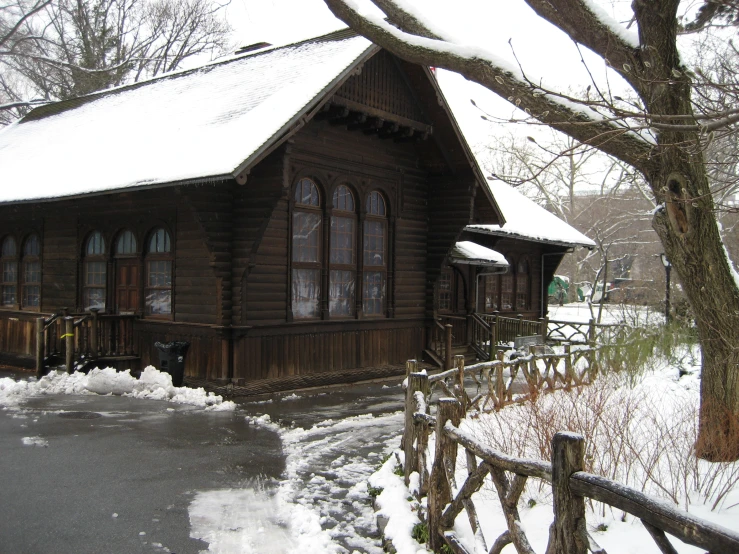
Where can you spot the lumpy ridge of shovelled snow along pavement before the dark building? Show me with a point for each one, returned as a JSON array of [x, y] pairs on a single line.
[[153, 385]]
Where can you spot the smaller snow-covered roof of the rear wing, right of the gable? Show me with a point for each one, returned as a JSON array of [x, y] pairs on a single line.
[[527, 220]]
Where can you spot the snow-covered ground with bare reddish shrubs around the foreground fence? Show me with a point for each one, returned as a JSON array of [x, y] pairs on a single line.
[[648, 424]]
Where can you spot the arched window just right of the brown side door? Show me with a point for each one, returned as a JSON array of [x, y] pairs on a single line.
[[158, 292]]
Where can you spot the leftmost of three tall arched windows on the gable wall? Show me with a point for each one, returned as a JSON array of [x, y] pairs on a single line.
[[306, 251]]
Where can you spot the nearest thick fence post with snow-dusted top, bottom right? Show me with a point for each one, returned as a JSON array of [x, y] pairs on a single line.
[[568, 451]]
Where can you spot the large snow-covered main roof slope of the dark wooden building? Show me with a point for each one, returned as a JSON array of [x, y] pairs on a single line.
[[207, 123]]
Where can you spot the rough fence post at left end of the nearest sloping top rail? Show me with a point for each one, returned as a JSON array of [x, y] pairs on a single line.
[[446, 449]]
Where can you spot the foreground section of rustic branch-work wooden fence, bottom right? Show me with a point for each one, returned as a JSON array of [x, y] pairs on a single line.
[[570, 485]]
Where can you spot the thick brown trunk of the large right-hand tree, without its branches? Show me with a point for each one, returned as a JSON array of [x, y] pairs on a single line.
[[687, 228]]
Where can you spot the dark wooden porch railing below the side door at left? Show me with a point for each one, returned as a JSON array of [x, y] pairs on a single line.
[[79, 338]]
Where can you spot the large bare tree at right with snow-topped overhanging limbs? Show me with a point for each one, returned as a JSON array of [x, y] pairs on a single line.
[[657, 132]]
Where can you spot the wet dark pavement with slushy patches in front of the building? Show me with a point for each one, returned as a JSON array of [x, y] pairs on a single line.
[[100, 474]]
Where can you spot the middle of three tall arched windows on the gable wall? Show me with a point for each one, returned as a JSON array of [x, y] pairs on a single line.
[[343, 259]]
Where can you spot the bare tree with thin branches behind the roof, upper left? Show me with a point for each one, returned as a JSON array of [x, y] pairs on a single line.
[[80, 46]]
